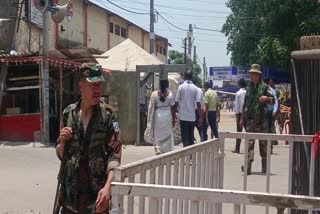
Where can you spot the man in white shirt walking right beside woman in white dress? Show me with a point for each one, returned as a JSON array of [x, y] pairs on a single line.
[[187, 96]]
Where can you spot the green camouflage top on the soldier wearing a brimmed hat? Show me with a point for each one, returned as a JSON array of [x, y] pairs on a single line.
[[252, 108]]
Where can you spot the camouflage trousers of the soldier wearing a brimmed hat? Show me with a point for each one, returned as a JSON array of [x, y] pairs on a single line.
[[255, 127]]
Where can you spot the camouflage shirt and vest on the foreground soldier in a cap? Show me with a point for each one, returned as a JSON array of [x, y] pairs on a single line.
[[89, 155]]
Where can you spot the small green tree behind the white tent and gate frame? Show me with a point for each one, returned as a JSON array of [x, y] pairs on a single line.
[[177, 57]]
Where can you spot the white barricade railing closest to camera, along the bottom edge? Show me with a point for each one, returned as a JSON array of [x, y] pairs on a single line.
[[198, 196]]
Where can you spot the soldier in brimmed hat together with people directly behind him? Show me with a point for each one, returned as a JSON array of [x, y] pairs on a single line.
[[256, 108]]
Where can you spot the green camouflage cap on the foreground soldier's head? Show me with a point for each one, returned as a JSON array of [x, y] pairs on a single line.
[[92, 72]]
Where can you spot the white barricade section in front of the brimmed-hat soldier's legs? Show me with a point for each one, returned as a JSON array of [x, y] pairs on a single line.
[[270, 137]]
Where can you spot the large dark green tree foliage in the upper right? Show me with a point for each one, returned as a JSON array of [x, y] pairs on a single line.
[[266, 32]]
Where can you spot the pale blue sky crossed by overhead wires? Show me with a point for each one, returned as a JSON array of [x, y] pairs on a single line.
[[206, 14]]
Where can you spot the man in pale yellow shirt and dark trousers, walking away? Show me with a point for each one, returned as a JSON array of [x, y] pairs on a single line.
[[211, 101]]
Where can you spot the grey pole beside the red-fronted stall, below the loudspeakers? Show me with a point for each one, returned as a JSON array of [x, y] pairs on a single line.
[[45, 78]]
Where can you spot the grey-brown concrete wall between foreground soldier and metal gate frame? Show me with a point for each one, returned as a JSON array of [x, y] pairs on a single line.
[[122, 89]]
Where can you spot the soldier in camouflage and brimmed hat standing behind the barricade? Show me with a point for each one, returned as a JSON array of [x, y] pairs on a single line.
[[255, 114]]
